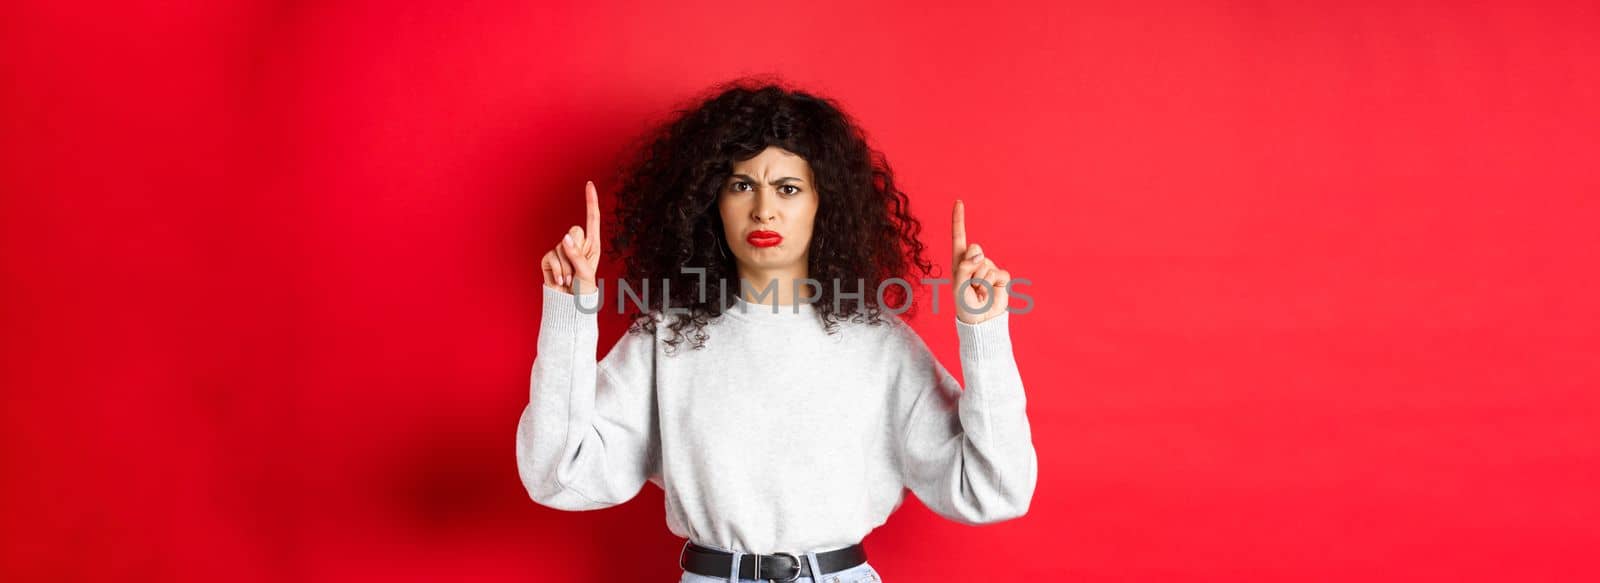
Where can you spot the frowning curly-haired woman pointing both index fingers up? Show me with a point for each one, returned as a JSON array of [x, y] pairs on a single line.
[[799, 414]]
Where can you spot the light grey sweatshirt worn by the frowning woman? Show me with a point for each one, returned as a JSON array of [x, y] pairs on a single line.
[[777, 436]]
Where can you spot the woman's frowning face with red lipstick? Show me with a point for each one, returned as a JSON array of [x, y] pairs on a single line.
[[767, 212]]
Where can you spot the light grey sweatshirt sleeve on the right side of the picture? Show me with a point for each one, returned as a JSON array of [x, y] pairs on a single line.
[[969, 456]]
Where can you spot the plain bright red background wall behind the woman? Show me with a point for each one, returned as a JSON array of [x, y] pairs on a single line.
[[1316, 286]]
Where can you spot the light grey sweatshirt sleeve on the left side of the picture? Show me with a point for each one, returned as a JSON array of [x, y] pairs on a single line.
[[588, 438]]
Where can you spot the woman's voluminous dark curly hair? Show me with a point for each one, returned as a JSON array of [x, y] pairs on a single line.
[[668, 219]]
